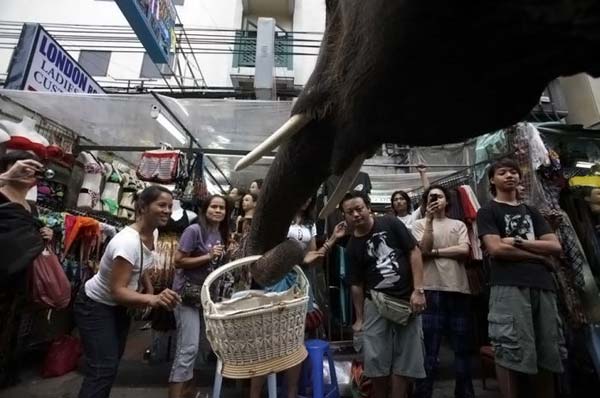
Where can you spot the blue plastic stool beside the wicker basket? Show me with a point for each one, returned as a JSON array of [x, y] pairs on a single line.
[[316, 352]]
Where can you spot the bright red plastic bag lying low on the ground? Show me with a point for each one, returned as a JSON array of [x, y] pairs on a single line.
[[62, 356]]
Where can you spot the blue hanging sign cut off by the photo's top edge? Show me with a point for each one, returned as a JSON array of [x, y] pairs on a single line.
[[153, 21]]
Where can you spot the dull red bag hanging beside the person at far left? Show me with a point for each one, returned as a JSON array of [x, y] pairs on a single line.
[[49, 285]]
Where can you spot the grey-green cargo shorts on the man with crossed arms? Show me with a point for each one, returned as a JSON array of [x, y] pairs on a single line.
[[525, 329]]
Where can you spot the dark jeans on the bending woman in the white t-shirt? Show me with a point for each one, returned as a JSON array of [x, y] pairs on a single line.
[[103, 330]]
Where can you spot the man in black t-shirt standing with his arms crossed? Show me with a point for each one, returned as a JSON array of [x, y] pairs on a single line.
[[523, 317]]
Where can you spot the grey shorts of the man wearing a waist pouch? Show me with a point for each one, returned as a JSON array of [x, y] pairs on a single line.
[[389, 348]]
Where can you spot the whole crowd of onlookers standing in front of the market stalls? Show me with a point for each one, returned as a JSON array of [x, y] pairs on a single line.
[[407, 271]]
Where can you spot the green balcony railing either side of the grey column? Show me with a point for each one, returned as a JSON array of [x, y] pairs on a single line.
[[244, 53]]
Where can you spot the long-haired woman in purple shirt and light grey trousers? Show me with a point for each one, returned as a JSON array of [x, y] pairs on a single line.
[[200, 246]]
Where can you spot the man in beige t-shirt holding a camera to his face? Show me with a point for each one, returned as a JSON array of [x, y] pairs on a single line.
[[445, 246]]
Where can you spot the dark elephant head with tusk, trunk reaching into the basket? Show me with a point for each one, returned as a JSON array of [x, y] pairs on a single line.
[[412, 72]]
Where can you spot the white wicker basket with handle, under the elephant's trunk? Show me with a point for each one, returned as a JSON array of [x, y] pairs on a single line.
[[258, 334]]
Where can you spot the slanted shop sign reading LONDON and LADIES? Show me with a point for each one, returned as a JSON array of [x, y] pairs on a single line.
[[39, 63]]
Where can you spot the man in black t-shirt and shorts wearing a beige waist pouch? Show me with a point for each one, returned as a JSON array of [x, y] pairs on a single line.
[[384, 257]]
